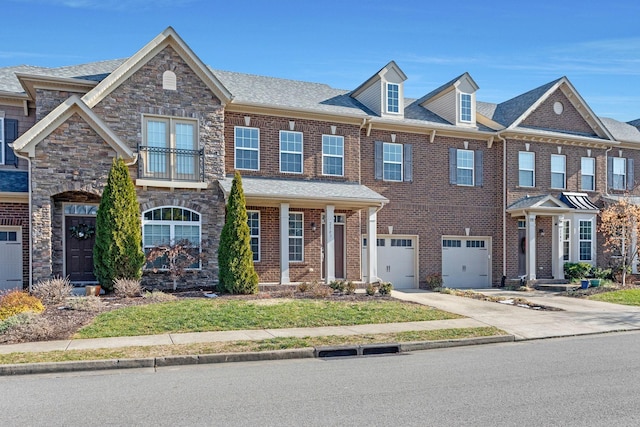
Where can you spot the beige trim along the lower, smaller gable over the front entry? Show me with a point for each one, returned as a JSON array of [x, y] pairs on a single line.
[[27, 142]]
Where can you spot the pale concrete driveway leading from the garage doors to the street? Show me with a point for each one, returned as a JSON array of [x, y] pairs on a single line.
[[578, 316]]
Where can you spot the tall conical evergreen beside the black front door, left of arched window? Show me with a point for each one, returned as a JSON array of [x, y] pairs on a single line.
[[117, 253]]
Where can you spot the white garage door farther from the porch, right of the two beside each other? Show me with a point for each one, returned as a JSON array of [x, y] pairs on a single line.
[[465, 262]]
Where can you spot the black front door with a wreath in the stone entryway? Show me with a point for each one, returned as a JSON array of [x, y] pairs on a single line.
[[79, 240]]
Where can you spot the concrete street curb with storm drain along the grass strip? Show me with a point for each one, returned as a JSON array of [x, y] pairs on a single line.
[[166, 361]]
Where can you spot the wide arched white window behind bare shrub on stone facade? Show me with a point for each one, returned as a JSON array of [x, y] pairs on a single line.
[[168, 225]]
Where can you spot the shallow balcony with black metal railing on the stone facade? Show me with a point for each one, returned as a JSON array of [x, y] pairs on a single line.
[[170, 164]]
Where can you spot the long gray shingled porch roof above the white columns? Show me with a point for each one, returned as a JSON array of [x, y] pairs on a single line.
[[285, 189]]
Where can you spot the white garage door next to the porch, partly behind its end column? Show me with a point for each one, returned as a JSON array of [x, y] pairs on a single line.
[[396, 261]]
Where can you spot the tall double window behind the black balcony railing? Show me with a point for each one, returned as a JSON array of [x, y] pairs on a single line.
[[171, 147]]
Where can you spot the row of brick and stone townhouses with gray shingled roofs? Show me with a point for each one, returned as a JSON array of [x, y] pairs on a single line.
[[359, 184]]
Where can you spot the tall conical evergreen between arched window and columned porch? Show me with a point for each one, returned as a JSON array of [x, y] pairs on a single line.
[[235, 259]]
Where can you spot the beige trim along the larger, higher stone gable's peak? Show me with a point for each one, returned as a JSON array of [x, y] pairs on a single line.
[[167, 38]]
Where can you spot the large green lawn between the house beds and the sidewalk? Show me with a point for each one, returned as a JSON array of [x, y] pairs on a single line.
[[199, 315]]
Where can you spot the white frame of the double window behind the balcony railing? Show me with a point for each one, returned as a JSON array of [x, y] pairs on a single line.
[[173, 163]]
